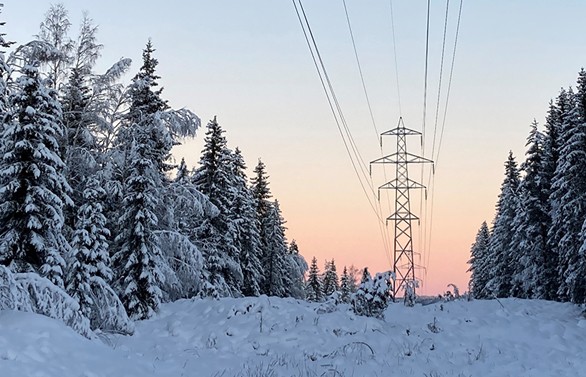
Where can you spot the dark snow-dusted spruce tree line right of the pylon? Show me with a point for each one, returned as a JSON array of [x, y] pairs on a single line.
[[536, 246]]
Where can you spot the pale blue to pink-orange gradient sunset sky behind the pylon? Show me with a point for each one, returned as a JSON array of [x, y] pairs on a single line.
[[247, 62]]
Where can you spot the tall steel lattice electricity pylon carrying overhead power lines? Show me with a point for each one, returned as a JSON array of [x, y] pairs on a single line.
[[403, 262]]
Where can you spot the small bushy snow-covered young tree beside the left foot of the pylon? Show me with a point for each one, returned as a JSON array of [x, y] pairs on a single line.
[[373, 295]]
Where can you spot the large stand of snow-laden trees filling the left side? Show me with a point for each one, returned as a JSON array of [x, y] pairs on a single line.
[[91, 200]]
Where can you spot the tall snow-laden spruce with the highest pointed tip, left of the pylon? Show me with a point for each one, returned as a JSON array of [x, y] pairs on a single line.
[[145, 145]]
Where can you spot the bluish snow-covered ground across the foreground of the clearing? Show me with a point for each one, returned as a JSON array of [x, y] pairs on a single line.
[[284, 337]]
